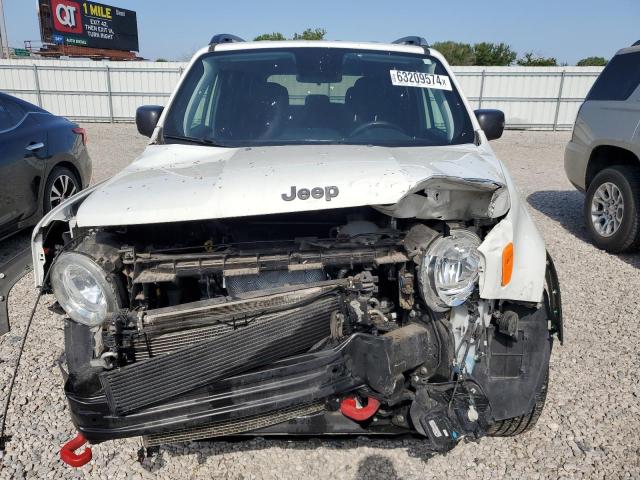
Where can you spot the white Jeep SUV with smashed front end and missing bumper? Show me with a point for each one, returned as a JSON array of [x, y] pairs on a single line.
[[265, 285]]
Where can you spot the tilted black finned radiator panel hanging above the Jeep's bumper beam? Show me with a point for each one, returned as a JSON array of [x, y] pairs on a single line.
[[261, 342]]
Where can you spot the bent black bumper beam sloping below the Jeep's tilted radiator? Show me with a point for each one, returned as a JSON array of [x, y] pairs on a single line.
[[360, 360]]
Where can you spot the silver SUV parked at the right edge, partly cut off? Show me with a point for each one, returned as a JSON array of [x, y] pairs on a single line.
[[603, 156]]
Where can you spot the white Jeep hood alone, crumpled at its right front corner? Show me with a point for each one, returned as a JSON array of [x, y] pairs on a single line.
[[170, 183]]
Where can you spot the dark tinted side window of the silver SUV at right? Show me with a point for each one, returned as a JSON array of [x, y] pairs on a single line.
[[619, 79]]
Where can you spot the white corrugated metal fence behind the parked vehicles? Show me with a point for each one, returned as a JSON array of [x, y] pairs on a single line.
[[544, 98]]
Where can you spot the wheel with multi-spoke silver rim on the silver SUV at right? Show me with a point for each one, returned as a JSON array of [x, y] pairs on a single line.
[[624, 182]]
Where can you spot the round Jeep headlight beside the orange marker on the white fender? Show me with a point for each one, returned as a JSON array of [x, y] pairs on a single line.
[[449, 270]]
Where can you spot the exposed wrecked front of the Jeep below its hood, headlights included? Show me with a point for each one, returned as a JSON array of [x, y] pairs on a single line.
[[338, 313]]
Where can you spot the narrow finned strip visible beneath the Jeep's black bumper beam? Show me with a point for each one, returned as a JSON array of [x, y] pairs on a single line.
[[232, 427]]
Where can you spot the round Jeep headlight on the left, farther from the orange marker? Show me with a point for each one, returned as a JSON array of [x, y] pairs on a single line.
[[82, 289]]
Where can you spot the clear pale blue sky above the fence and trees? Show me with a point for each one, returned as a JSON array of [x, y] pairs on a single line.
[[565, 29]]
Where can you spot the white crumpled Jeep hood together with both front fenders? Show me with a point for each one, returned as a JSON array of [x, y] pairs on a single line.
[[171, 183]]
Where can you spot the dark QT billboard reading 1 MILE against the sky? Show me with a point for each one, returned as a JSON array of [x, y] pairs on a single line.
[[88, 24]]
